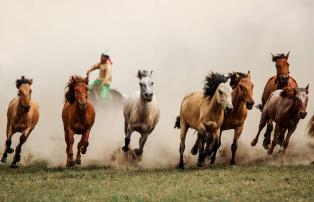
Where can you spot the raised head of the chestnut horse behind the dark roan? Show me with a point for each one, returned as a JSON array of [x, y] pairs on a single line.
[[282, 66]]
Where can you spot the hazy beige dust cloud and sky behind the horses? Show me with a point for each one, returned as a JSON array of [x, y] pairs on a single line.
[[180, 40]]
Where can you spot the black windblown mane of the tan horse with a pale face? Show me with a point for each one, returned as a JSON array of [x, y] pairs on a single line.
[[212, 82]]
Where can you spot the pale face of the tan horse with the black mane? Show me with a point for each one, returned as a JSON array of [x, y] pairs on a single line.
[[224, 96]]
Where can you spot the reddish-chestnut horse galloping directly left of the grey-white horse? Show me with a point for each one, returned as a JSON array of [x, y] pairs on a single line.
[[78, 117]]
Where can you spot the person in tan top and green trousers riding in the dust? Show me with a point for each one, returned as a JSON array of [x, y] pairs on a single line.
[[104, 79]]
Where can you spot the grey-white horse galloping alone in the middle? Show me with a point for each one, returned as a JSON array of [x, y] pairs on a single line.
[[141, 112]]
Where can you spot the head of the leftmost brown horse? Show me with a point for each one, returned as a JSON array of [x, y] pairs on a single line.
[[24, 92]]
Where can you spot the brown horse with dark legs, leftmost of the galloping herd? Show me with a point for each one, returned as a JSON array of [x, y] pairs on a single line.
[[23, 115]]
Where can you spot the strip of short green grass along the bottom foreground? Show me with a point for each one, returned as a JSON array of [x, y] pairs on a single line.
[[36, 182]]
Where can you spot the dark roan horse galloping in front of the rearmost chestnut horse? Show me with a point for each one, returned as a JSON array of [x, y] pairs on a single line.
[[286, 107]]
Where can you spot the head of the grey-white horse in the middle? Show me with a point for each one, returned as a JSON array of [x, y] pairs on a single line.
[[146, 84]]
